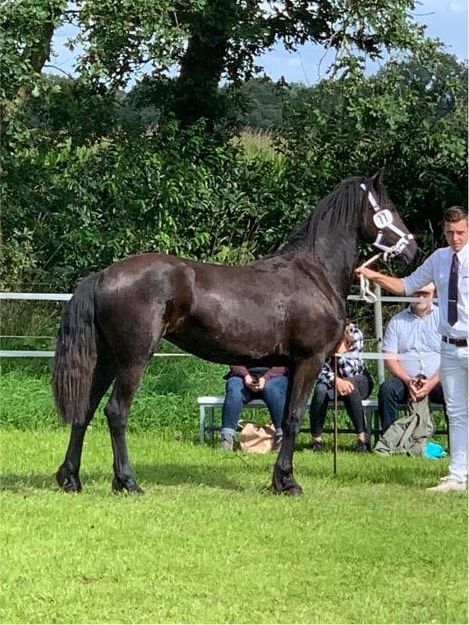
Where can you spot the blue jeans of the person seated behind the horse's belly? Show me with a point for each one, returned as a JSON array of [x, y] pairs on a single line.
[[238, 394]]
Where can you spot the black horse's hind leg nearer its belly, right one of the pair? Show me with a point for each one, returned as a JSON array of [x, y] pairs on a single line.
[[117, 411]]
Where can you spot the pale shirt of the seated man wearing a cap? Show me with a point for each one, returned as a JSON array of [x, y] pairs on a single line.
[[407, 333]]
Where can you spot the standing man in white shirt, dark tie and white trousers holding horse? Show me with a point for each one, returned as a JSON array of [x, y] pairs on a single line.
[[448, 268]]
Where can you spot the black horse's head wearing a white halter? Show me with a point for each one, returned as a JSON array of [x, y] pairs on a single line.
[[382, 223]]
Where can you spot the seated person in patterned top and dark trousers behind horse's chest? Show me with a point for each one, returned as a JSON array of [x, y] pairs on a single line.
[[354, 383]]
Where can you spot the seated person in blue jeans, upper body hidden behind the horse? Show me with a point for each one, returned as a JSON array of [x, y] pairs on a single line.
[[242, 386]]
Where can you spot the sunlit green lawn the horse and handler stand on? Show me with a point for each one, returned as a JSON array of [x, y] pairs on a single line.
[[209, 544]]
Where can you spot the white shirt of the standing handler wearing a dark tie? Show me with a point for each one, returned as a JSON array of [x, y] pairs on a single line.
[[436, 269]]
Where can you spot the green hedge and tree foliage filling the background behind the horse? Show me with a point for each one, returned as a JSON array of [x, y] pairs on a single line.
[[91, 175]]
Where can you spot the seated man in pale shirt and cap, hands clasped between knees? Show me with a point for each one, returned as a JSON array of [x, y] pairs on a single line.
[[413, 331]]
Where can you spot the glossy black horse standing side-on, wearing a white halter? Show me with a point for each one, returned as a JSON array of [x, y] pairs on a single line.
[[284, 309]]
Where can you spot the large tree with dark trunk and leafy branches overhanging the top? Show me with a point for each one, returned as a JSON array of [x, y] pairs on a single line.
[[207, 40]]
